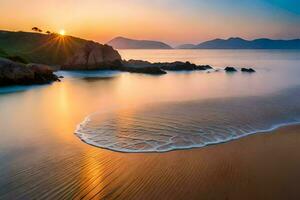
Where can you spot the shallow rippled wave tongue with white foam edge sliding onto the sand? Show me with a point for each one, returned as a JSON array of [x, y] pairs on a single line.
[[172, 126]]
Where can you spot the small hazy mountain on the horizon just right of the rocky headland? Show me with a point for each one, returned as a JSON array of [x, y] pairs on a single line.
[[125, 43]]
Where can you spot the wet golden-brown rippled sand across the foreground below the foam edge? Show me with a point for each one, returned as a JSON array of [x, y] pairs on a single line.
[[261, 166]]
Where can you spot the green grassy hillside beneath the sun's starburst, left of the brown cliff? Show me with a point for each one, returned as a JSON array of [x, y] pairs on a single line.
[[38, 48]]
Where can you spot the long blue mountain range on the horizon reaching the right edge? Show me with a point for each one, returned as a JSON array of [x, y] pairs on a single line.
[[239, 43]]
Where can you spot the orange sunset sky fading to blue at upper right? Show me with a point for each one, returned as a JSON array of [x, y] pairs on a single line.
[[171, 21]]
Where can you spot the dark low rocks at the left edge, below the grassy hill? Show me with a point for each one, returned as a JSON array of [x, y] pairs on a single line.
[[13, 73]]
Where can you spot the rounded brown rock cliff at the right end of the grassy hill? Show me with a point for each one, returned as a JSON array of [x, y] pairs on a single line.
[[93, 56]]
